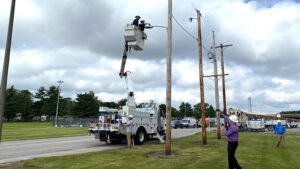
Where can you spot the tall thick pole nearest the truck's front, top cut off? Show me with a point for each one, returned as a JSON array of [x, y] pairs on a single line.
[[169, 75]]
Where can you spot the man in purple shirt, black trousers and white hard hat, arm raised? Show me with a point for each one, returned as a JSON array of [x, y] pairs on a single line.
[[232, 134]]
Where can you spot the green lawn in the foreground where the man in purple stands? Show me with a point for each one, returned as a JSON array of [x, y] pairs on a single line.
[[255, 151]]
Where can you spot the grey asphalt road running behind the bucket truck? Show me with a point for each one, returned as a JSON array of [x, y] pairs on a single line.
[[12, 151]]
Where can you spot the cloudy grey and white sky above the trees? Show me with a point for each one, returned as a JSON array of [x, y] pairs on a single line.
[[81, 42]]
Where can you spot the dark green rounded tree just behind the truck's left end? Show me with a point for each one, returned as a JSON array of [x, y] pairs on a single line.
[[86, 105]]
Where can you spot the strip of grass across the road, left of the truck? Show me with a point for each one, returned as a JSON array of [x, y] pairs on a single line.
[[13, 131]]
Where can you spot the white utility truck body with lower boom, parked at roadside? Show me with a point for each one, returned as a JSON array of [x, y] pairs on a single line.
[[147, 121]]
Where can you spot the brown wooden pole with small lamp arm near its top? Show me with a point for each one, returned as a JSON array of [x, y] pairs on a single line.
[[201, 80]]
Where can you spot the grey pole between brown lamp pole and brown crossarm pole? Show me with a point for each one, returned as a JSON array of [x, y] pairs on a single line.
[[216, 87]]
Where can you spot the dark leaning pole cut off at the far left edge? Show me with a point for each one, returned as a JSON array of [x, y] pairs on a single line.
[[6, 63]]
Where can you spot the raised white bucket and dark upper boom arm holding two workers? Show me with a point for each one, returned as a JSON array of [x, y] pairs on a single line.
[[134, 38]]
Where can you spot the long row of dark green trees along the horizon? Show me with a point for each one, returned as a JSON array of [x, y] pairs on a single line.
[[44, 101]]
